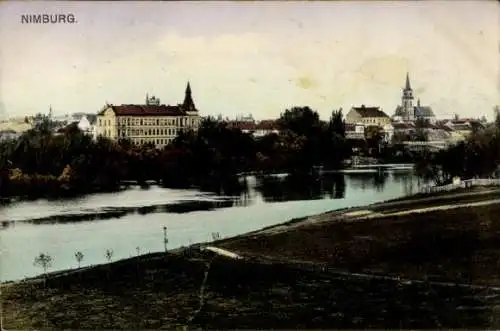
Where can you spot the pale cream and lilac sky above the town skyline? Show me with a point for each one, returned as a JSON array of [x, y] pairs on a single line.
[[252, 57]]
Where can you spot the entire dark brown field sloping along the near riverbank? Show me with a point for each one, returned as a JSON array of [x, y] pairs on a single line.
[[333, 270]]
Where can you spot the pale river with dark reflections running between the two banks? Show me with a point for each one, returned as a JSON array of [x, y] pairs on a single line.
[[131, 222]]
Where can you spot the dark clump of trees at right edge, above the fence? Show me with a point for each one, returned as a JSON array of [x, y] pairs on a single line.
[[476, 157]]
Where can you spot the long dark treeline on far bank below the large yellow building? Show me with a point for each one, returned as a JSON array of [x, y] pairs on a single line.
[[40, 163]]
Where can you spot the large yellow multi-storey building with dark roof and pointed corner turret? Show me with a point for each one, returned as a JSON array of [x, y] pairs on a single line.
[[149, 123]]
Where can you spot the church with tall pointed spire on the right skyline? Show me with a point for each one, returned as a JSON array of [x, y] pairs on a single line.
[[408, 111]]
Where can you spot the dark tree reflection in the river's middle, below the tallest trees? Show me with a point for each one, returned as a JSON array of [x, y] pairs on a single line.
[[301, 187]]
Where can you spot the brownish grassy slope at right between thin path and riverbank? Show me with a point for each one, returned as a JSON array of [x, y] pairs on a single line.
[[459, 245]]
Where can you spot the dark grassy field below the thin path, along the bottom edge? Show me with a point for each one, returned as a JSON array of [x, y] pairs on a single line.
[[155, 292]]
